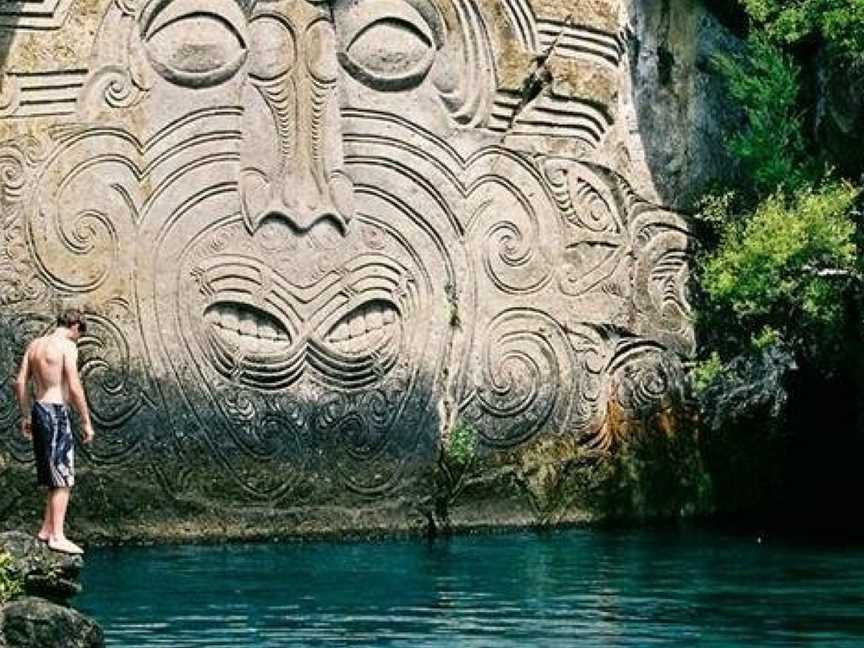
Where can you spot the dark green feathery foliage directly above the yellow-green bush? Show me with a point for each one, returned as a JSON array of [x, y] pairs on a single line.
[[764, 81]]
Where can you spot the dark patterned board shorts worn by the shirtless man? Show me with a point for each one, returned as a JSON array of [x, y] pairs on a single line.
[[53, 445]]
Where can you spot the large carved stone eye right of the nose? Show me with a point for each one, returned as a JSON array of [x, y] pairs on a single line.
[[391, 51]]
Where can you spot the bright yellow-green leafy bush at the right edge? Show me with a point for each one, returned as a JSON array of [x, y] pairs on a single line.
[[782, 270]]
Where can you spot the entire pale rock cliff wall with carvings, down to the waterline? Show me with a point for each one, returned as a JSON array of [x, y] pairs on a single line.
[[314, 239]]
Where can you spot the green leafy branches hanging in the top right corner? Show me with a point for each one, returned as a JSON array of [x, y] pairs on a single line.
[[840, 23]]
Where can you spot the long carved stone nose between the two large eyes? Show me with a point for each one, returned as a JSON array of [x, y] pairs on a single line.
[[301, 179]]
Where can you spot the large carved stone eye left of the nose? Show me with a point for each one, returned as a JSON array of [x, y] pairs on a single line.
[[190, 47]]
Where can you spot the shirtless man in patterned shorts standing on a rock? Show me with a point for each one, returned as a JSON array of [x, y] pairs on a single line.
[[52, 362]]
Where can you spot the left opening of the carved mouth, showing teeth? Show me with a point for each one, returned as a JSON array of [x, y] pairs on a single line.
[[247, 328]]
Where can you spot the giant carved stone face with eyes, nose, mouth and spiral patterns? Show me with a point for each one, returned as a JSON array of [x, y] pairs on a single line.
[[323, 247]]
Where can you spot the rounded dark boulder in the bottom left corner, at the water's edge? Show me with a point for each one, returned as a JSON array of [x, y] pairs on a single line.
[[32, 622]]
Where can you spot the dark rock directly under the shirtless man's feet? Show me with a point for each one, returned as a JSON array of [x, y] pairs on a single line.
[[45, 573]]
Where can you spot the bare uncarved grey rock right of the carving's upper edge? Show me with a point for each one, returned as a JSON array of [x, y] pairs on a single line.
[[683, 111]]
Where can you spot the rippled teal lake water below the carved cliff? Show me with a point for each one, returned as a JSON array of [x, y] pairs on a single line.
[[569, 588]]
